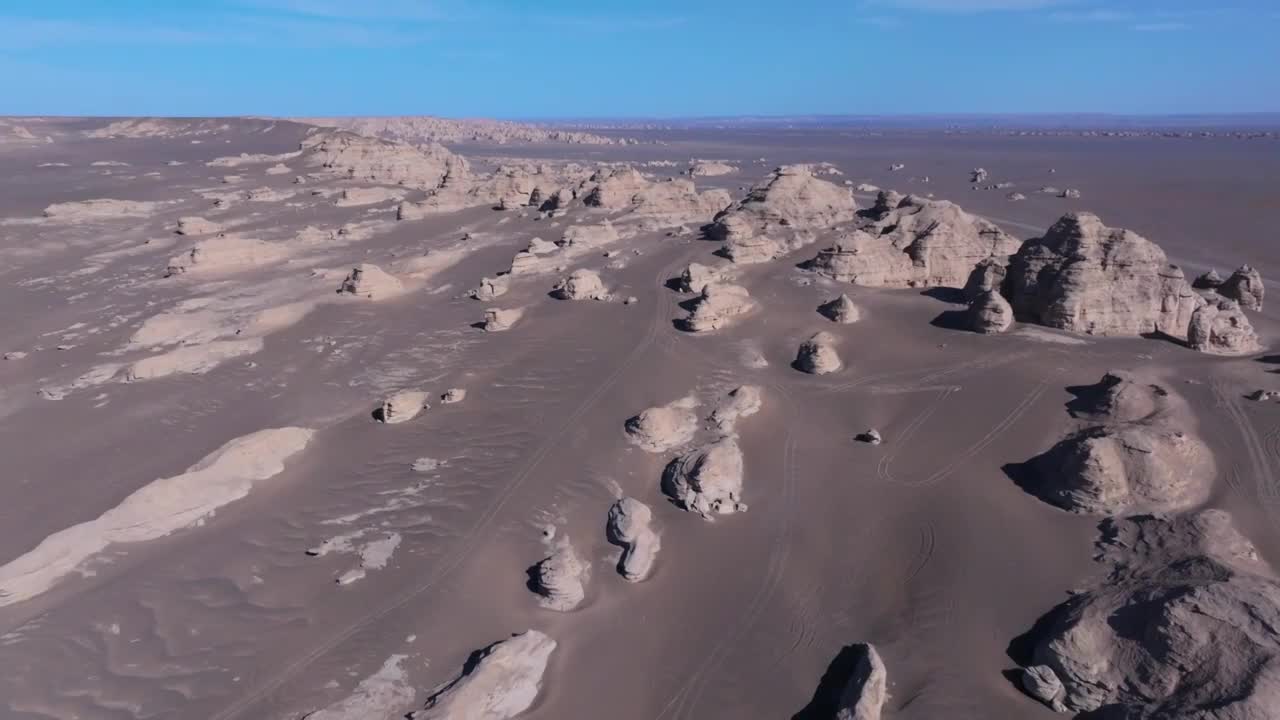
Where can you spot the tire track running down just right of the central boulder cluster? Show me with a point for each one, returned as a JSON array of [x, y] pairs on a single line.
[[685, 701]]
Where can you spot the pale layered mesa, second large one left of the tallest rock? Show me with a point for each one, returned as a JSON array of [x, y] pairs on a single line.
[[787, 208]]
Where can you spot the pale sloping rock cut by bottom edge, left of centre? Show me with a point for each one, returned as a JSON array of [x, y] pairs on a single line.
[[499, 683]]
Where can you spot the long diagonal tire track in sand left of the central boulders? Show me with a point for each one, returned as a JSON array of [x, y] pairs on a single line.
[[662, 309]]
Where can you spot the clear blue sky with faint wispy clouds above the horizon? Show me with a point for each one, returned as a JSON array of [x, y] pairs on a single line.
[[651, 58]]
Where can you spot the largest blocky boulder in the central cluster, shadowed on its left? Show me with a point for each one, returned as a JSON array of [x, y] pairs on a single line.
[[707, 481]]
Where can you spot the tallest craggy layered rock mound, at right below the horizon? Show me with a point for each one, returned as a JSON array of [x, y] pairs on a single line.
[[1089, 279]]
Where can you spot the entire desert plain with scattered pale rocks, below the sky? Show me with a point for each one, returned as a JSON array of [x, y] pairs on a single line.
[[483, 422]]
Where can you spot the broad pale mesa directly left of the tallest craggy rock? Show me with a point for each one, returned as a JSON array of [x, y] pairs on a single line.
[[918, 243]]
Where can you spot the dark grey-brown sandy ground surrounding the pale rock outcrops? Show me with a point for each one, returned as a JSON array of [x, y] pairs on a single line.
[[922, 545]]
